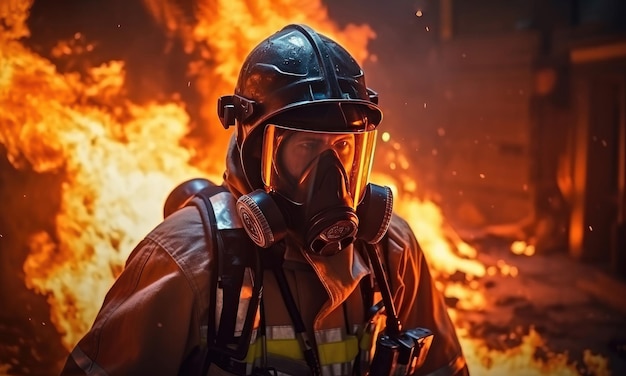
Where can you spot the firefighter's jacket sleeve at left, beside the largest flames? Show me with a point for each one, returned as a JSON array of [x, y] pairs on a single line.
[[144, 325]]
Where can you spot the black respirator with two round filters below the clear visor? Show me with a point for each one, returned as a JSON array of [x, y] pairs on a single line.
[[319, 210]]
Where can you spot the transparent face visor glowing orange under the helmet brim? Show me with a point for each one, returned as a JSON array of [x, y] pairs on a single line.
[[290, 155]]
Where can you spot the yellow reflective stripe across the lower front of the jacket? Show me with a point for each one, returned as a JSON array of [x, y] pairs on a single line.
[[330, 353]]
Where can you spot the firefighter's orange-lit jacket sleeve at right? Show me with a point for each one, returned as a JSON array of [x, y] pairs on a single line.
[[420, 304]]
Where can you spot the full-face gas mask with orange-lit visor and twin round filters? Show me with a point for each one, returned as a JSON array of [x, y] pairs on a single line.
[[316, 189]]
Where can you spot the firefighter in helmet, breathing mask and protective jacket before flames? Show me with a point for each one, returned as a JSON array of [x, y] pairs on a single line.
[[277, 272]]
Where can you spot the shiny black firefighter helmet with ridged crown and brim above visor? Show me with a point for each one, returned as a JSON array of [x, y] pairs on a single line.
[[296, 69]]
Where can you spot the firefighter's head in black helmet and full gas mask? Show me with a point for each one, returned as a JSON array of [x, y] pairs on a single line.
[[305, 134]]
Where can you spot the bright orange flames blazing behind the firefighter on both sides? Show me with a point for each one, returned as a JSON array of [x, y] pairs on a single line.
[[119, 160]]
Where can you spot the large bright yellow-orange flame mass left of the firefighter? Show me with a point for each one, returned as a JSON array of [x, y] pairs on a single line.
[[107, 153]]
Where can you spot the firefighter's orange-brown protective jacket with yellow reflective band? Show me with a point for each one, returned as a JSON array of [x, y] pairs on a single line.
[[154, 318]]
